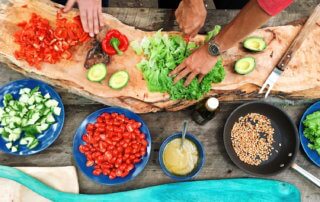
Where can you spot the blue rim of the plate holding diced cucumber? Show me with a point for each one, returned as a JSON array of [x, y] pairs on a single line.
[[62, 113]]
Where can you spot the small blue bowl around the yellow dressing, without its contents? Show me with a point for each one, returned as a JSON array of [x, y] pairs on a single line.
[[200, 163]]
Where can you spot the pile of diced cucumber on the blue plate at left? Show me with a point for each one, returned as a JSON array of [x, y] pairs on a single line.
[[29, 115]]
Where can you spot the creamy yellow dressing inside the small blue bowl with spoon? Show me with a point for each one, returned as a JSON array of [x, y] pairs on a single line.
[[180, 161]]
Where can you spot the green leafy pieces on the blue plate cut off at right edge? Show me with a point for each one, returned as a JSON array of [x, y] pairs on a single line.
[[312, 130]]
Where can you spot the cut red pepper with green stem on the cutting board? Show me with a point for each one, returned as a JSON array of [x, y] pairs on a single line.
[[115, 43]]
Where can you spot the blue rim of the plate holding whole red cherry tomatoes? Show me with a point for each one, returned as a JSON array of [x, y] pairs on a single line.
[[100, 111]]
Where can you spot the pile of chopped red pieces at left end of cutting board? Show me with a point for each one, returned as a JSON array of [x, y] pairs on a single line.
[[39, 42]]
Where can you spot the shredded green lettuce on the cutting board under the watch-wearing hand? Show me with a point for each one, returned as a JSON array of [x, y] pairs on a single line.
[[163, 53]]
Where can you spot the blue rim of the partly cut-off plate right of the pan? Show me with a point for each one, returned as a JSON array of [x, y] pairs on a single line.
[[306, 149]]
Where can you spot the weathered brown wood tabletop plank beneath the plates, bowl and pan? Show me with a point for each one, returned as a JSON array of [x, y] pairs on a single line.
[[218, 165]]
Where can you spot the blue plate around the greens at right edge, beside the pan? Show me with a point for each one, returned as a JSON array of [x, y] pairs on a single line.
[[312, 154]]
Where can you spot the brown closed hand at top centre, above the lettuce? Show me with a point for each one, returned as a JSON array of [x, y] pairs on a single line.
[[191, 15]]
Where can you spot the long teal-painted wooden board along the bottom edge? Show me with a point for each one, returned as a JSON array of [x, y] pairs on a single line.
[[225, 190]]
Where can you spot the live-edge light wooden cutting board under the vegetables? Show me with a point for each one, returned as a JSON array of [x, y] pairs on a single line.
[[300, 80]]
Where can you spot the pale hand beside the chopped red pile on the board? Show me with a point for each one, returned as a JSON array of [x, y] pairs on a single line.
[[90, 14]]
